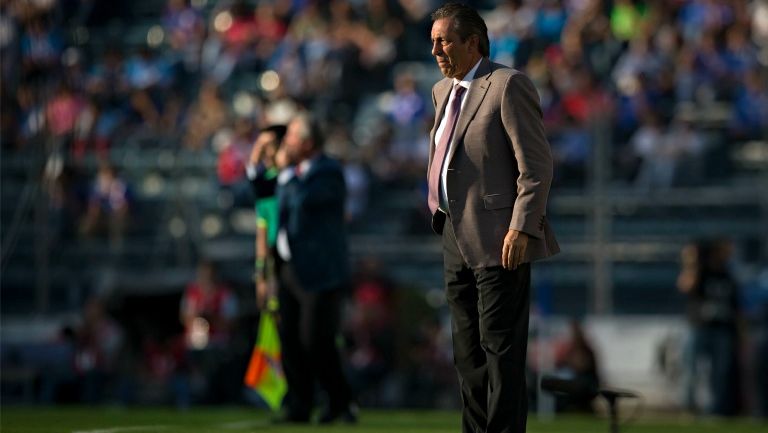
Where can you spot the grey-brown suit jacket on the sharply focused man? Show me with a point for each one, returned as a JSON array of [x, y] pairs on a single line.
[[500, 174]]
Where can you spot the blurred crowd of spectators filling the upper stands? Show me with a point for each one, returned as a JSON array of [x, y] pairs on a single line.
[[673, 82]]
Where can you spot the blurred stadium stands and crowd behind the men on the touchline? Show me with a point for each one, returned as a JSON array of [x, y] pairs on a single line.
[[126, 126]]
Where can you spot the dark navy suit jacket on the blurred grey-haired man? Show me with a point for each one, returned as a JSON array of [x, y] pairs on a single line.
[[312, 213]]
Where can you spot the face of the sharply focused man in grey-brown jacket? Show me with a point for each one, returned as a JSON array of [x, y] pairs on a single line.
[[454, 57]]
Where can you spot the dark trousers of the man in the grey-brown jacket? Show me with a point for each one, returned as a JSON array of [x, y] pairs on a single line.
[[489, 309]]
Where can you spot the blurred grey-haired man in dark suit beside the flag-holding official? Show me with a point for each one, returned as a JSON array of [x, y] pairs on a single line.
[[313, 272]]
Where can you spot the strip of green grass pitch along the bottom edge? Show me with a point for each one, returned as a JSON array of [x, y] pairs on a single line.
[[235, 420]]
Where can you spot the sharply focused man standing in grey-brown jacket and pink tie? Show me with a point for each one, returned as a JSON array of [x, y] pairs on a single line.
[[489, 175]]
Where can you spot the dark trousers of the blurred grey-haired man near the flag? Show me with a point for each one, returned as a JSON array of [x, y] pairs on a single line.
[[309, 322]]
